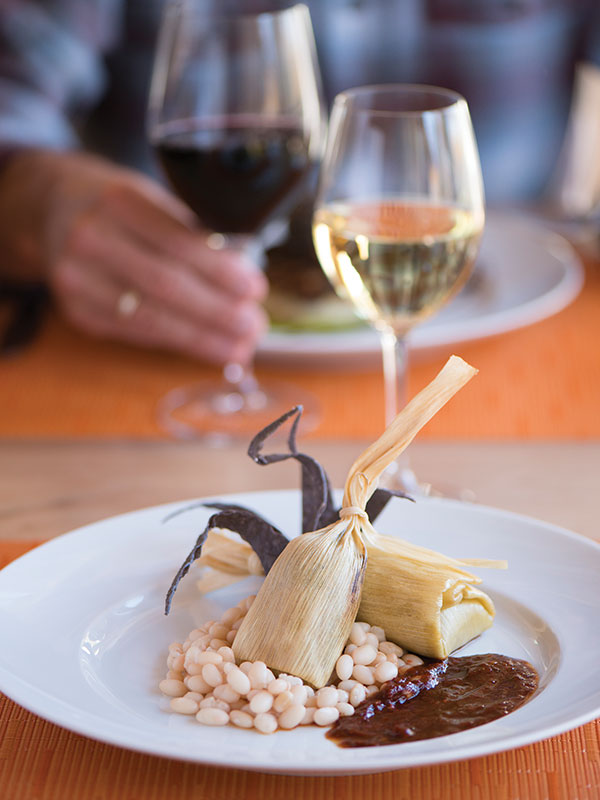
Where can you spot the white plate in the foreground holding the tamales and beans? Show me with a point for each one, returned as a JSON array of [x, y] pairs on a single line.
[[83, 638]]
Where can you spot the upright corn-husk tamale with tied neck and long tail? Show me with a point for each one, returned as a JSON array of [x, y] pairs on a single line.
[[303, 613]]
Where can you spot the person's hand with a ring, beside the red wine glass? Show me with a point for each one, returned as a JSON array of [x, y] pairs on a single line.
[[125, 259]]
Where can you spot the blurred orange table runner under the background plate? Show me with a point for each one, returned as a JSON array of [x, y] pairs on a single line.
[[540, 382]]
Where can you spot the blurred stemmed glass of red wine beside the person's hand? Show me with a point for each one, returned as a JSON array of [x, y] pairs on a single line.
[[237, 122]]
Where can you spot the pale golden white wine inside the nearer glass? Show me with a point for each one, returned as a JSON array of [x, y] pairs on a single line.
[[398, 261]]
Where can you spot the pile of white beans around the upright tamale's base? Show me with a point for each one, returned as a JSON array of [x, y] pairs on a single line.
[[204, 680]]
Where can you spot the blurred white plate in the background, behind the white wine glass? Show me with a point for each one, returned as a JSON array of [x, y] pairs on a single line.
[[525, 273]]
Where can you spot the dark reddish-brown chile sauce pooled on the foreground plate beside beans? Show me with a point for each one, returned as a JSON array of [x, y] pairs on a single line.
[[445, 697]]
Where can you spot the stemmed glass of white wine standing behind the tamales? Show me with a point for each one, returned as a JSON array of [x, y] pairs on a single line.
[[399, 214]]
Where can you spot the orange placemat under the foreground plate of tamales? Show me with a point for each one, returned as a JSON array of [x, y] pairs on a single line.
[[39, 761]]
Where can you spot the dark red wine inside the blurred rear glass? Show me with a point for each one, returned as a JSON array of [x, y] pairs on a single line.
[[237, 177]]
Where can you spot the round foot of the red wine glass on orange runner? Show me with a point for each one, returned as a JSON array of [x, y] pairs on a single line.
[[220, 415]]
